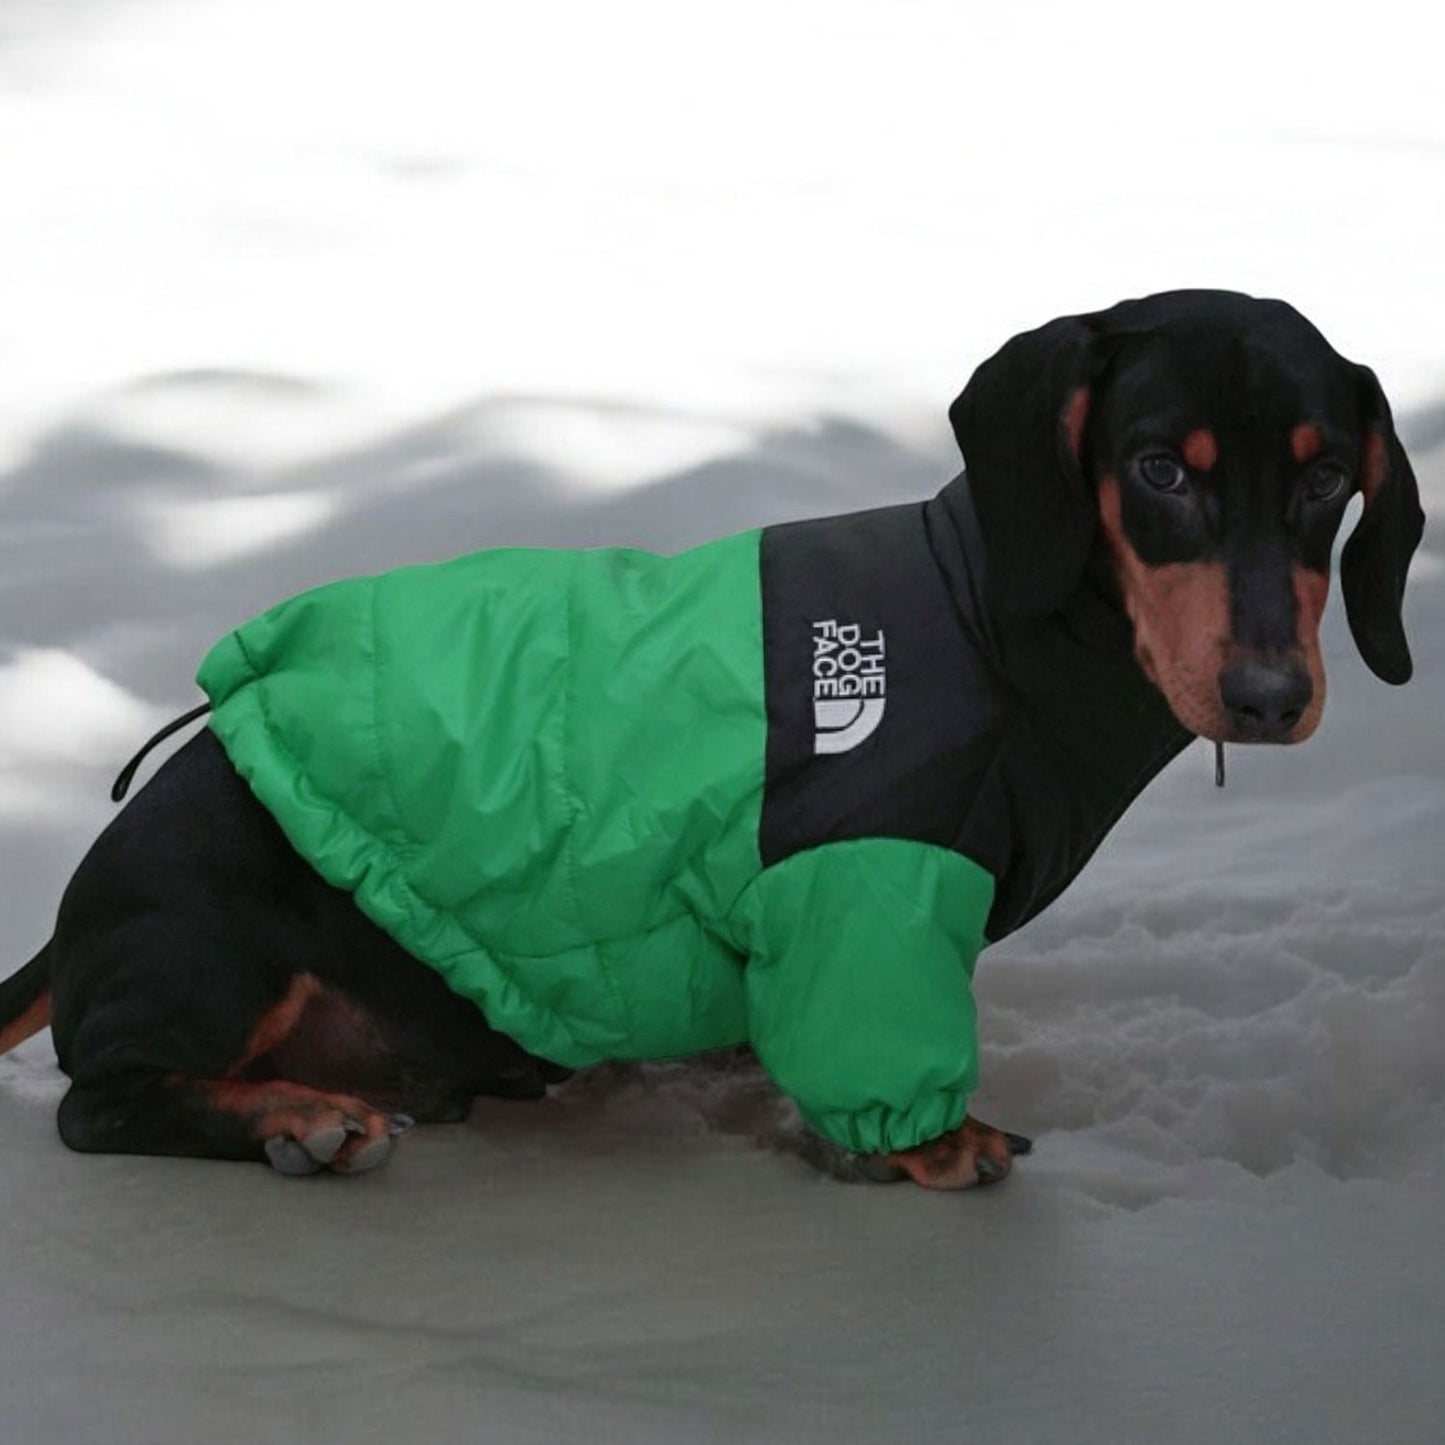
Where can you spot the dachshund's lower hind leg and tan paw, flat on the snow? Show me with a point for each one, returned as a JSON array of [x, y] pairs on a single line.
[[294, 1128]]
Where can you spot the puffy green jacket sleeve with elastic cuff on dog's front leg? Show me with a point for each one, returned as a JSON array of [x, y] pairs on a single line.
[[860, 986]]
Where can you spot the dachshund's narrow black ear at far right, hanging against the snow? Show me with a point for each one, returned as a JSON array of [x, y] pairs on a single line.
[[1378, 556]]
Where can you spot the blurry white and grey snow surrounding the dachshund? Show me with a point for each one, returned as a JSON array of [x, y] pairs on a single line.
[[298, 288]]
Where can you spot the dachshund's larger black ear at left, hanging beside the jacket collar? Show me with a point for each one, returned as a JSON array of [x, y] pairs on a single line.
[[1021, 427]]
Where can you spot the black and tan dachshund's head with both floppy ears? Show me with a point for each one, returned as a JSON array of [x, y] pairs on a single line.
[[1204, 446]]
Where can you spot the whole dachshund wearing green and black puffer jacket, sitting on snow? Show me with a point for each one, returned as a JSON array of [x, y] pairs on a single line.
[[953, 699]]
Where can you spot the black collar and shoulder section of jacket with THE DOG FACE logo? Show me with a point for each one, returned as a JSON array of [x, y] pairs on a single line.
[[898, 707]]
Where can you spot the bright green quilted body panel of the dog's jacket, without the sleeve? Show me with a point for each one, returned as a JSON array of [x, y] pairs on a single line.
[[502, 758]]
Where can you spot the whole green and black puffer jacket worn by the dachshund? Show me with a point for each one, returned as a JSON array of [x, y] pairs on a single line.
[[781, 790]]
